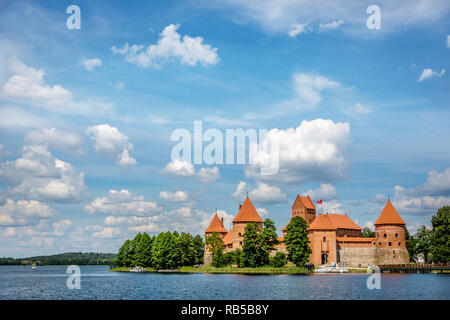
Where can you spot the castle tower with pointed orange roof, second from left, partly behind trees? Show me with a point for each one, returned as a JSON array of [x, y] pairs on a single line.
[[247, 214]]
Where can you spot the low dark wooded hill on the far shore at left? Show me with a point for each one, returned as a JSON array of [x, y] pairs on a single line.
[[69, 258]]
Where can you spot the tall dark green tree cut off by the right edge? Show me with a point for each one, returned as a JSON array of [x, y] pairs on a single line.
[[440, 238]]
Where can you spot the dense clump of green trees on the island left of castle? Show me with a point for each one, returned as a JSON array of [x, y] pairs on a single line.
[[167, 250]]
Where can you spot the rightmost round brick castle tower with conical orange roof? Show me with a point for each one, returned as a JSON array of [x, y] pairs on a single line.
[[390, 237]]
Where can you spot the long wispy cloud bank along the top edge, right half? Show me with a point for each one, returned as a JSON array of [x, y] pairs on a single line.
[[278, 16]]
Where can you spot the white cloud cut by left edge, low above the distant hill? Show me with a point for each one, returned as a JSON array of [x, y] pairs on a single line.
[[23, 212]]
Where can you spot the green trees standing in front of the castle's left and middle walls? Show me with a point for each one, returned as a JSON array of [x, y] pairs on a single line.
[[258, 243]]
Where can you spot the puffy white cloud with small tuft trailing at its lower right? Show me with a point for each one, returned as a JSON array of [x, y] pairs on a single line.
[[111, 142]]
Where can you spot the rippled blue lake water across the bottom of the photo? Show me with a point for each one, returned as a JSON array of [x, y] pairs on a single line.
[[49, 282]]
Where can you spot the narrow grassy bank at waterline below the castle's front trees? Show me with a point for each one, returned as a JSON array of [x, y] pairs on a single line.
[[261, 270]]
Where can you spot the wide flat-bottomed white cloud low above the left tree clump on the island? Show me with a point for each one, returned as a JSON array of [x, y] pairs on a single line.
[[122, 203]]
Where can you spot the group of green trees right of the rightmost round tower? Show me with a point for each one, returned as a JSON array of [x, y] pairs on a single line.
[[434, 243]]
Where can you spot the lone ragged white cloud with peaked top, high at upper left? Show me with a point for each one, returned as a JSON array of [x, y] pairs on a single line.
[[170, 46]]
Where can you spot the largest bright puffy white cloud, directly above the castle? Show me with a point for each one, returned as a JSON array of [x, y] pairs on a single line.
[[315, 150]]
